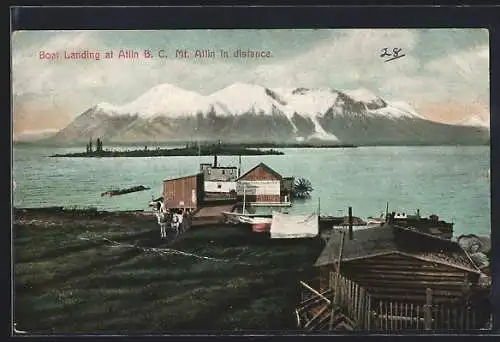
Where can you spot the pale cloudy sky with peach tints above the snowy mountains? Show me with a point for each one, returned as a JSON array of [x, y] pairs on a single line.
[[444, 74]]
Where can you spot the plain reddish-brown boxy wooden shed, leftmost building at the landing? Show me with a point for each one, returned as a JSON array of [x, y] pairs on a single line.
[[184, 192]]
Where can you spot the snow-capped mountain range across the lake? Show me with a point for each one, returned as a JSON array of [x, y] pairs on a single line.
[[250, 112]]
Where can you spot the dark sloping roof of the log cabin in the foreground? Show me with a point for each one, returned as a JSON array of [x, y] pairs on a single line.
[[388, 239]]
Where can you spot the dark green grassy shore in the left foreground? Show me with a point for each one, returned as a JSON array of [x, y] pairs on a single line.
[[68, 279]]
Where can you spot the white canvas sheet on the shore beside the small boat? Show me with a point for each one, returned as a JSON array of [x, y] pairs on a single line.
[[285, 226]]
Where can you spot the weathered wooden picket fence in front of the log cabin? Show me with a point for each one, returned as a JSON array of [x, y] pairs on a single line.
[[371, 314]]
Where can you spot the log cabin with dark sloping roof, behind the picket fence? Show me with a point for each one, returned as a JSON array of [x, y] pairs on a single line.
[[392, 262]]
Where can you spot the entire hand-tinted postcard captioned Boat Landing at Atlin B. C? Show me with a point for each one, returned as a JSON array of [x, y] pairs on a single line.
[[251, 180]]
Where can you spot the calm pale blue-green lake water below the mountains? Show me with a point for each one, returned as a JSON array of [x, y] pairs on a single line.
[[449, 181]]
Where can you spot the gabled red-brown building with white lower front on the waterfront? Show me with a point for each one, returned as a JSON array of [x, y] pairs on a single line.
[[260, 184]]
